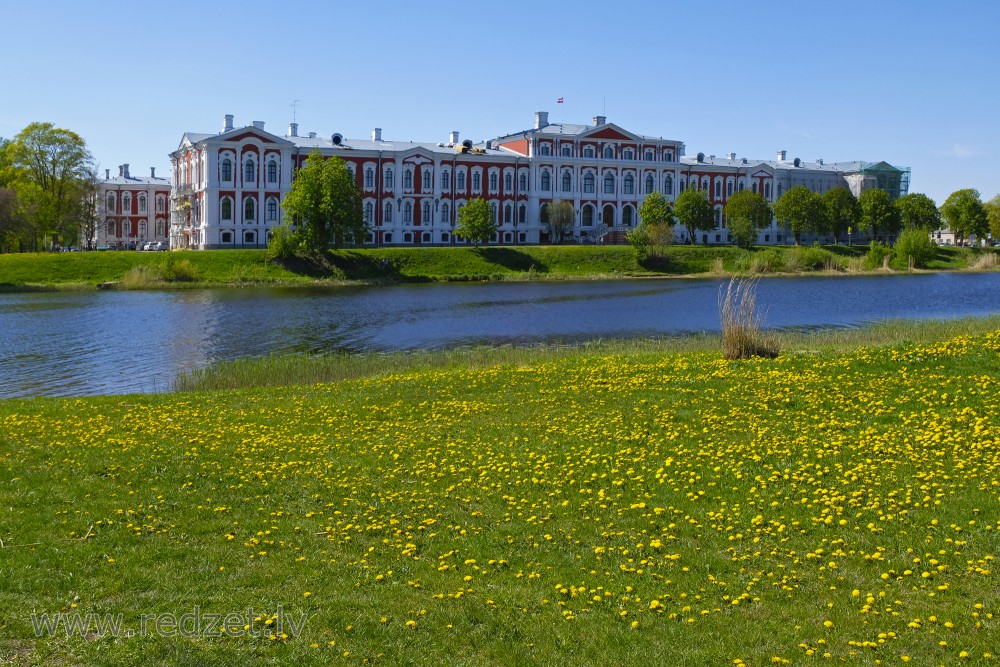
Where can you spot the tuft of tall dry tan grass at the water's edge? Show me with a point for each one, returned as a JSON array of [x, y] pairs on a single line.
[[742, 334]]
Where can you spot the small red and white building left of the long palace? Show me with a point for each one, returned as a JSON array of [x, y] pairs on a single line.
[[132, 209]]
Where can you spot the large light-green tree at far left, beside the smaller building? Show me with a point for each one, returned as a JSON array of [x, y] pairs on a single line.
[[47, 167]]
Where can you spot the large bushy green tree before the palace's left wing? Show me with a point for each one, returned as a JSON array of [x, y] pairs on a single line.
[[325, 204]]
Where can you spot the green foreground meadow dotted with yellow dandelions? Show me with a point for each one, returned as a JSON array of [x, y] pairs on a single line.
[[585, 508]]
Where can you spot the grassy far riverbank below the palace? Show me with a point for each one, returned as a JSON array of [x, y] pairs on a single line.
[[235, 268]]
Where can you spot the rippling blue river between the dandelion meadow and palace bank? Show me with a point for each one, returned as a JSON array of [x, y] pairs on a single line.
[[86, 343]]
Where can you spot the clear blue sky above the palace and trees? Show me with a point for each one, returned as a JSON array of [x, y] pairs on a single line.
[[912, 83]]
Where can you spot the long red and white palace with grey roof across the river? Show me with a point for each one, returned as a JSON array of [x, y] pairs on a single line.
[[227, 188]]
